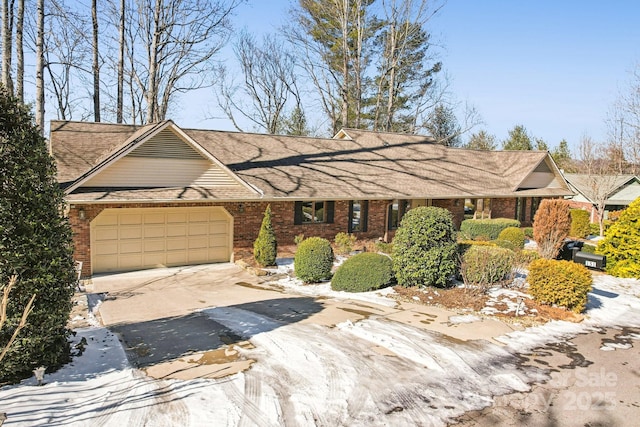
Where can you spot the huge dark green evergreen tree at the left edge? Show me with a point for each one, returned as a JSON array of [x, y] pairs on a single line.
[[35, 245]]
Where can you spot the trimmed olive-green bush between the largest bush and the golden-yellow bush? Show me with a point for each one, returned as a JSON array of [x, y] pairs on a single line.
[[485, 265]]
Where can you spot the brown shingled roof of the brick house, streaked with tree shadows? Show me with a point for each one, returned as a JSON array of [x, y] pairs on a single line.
[[355, 164]]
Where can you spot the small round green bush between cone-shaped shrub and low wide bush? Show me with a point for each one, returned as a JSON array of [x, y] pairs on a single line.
[[313, 260]]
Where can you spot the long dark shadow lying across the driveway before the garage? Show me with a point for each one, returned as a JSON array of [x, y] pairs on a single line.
[[151, 342]]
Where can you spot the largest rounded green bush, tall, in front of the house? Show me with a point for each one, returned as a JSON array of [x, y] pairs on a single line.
[[425, 248]]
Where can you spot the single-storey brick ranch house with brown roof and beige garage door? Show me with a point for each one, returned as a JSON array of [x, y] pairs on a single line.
[[158, 195]]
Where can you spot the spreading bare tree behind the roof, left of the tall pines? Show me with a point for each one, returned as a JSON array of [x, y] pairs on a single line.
[[269, 84]]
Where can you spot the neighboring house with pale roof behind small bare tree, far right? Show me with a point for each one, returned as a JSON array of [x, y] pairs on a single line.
[[616, 192]]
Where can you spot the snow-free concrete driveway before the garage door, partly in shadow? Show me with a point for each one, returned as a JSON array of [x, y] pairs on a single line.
[[172, 322]]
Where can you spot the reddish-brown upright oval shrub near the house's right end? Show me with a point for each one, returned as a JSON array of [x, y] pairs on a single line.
[[551, 226]]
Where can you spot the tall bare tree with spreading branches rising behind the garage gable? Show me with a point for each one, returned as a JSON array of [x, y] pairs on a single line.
[[179, 39]]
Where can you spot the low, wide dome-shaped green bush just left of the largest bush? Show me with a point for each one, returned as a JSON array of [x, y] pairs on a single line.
[[363, 272]]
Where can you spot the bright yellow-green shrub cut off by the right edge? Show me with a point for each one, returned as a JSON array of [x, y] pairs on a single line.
[[621, 243]]
